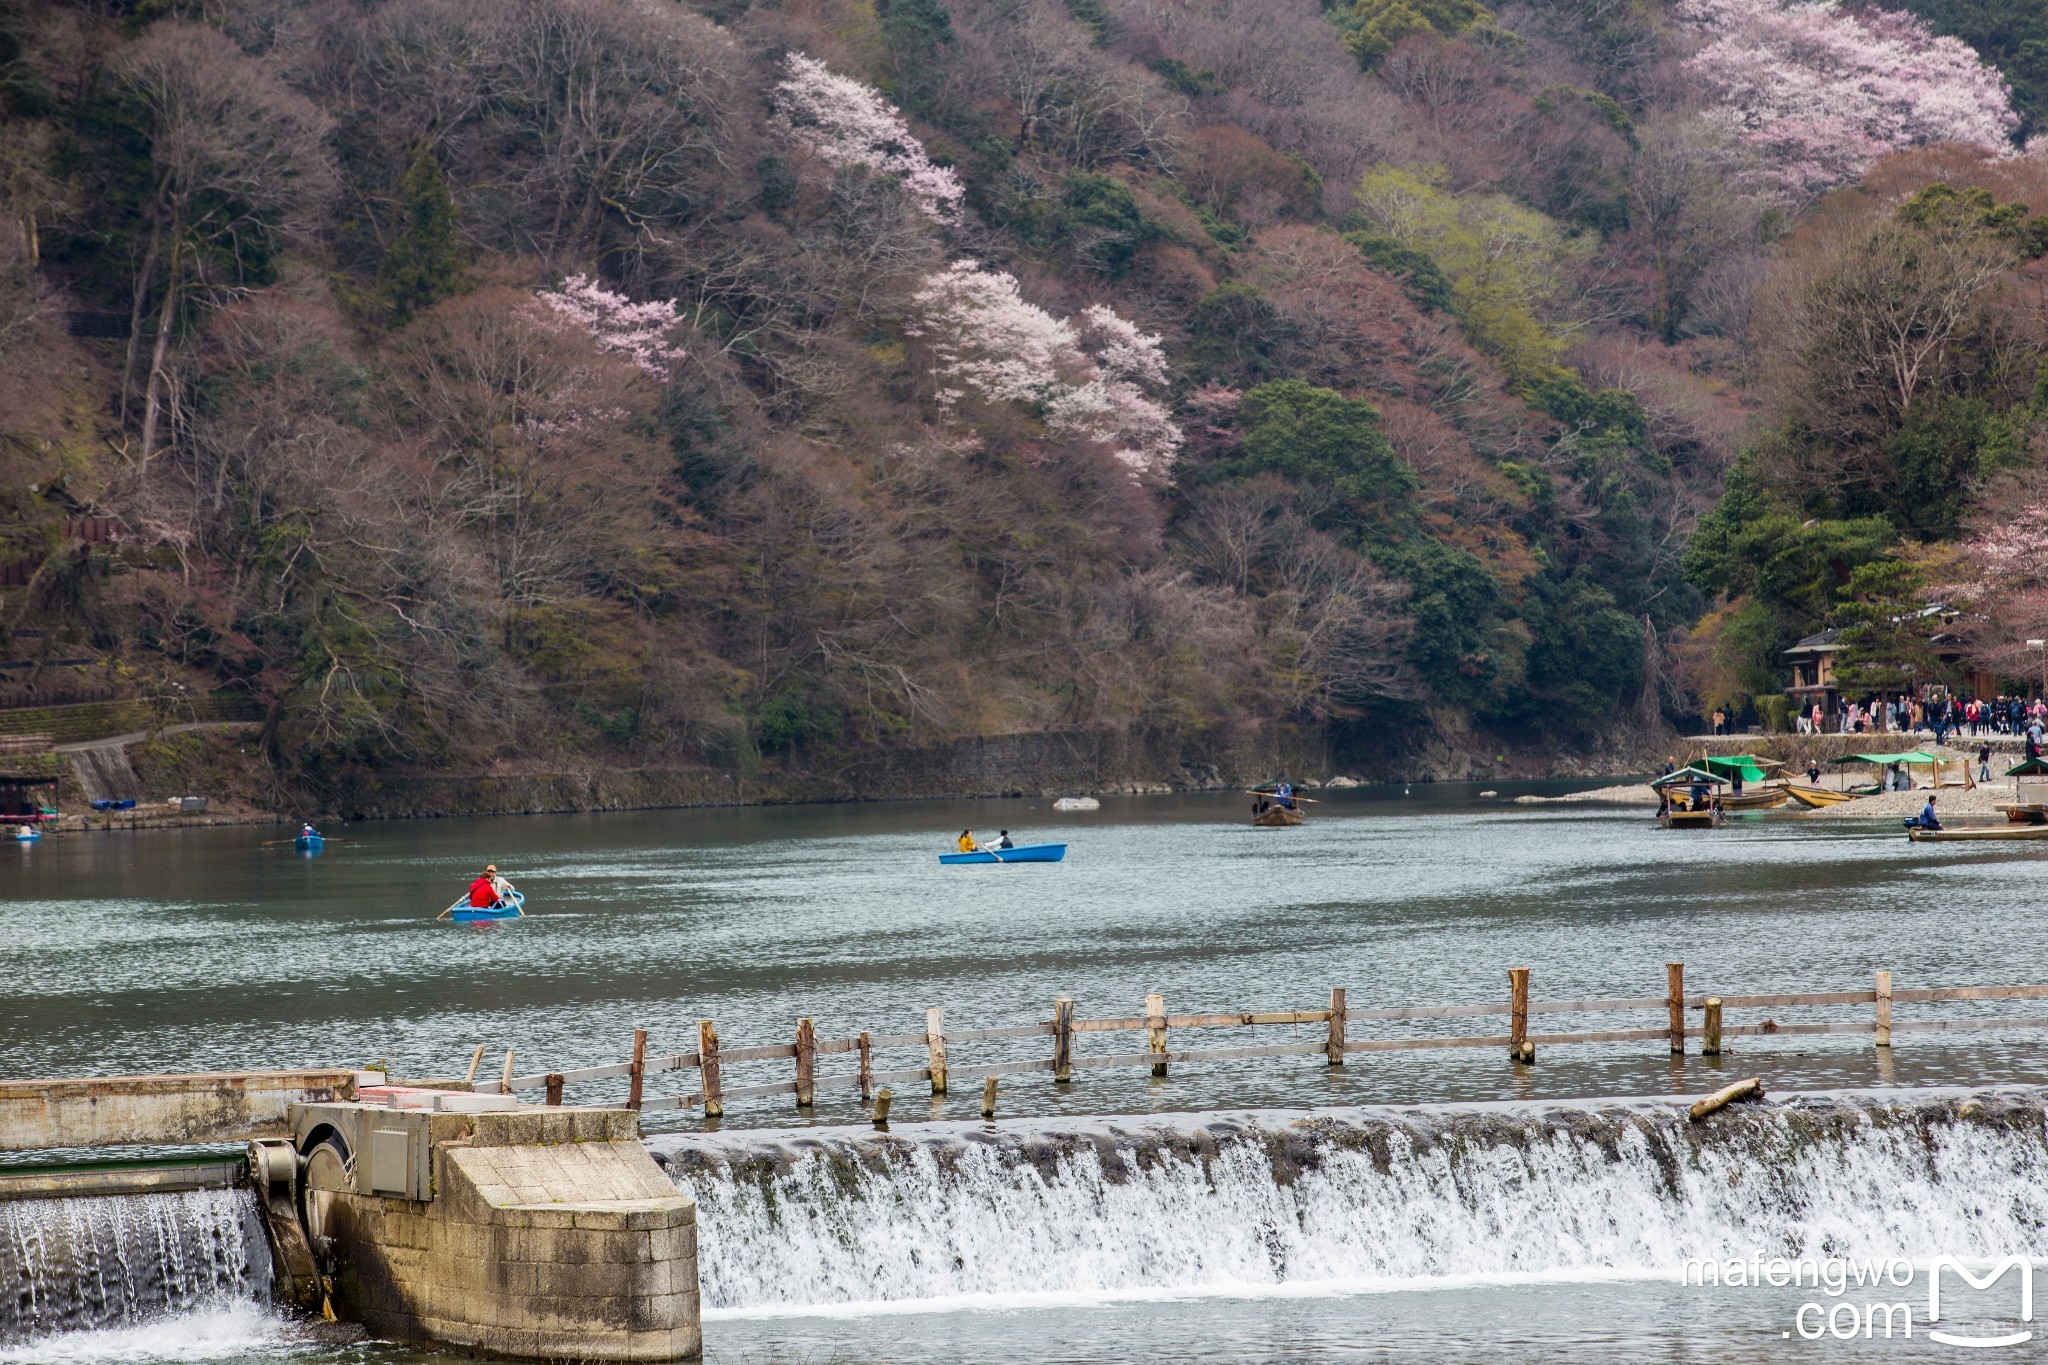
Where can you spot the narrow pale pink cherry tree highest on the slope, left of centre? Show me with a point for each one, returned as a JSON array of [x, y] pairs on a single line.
[[847, 124]]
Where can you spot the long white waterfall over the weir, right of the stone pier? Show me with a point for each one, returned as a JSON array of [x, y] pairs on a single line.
[[1277, 1202]]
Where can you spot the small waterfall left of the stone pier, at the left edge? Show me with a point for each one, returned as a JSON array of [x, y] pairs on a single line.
[[124, 1260]]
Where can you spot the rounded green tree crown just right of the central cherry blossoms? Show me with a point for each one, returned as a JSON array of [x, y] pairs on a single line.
[[1322, 439]]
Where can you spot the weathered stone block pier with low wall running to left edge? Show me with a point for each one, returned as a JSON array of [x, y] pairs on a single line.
[[431, 1217]]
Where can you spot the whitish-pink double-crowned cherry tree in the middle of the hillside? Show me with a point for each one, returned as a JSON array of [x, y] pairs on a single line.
[[1089, 382]]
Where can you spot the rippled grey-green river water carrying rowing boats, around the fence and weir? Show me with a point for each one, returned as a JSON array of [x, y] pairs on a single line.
[[204, 951]]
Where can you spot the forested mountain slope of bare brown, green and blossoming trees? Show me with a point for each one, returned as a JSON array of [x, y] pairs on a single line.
[[740, 384]]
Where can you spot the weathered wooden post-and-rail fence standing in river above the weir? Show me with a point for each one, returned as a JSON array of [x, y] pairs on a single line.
[[1336, 1045]]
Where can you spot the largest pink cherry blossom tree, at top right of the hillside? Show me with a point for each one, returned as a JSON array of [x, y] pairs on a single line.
[[1822, 91]]
